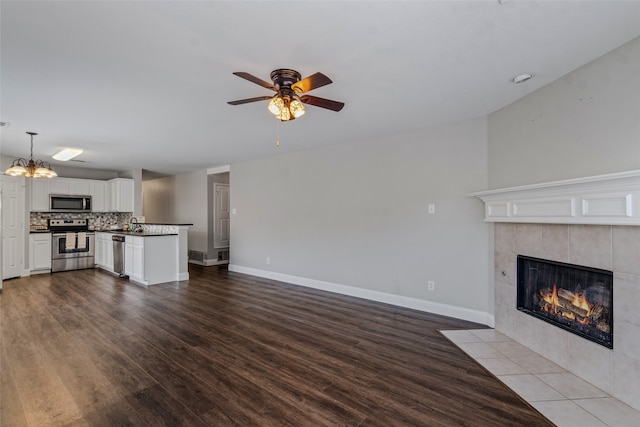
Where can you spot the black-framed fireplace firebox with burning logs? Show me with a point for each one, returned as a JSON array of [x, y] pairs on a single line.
[[575, 298]]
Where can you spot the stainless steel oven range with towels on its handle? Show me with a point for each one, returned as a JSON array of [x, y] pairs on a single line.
[[73, 246]]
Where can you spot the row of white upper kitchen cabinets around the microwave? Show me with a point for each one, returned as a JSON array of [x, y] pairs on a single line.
[[115, 195]]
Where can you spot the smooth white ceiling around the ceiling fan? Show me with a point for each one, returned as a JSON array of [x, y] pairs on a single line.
[[146, 84]]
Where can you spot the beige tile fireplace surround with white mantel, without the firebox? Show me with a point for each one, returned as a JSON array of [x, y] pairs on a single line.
[[593, 222]]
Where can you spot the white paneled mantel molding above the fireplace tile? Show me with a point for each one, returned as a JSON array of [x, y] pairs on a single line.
[[612, 199]]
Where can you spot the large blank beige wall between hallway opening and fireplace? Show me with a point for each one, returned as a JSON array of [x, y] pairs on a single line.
[[356, 215]]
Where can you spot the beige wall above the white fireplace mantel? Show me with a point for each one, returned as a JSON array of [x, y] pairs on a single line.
[[585, 123]]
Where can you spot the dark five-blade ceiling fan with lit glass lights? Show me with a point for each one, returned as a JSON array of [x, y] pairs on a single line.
[[286, 104]]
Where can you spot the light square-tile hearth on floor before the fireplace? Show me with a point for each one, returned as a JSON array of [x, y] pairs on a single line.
[[559, 395]]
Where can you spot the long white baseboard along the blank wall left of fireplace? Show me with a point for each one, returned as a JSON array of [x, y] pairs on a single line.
[[398, 300]]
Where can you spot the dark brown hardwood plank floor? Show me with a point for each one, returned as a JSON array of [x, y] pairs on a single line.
[[85, 348]]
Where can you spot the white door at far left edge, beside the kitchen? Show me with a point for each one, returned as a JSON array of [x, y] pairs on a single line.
[[12, 226]]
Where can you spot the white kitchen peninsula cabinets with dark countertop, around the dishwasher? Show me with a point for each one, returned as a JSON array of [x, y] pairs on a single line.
[[156, 253]]
